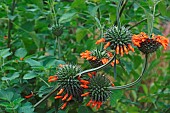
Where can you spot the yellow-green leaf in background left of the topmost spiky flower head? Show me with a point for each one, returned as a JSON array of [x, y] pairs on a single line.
[[80, 34]]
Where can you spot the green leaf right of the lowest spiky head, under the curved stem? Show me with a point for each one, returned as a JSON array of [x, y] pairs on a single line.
[[116, 95]]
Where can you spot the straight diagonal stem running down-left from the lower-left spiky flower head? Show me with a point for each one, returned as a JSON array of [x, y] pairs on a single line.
[[46, 97]]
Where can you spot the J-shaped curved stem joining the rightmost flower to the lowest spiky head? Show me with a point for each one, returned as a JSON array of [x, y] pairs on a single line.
[[135, 82]]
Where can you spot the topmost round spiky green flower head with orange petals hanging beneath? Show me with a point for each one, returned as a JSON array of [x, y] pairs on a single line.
[[118, 40]]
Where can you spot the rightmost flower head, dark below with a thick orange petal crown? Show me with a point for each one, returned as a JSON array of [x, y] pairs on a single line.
[[149, 45]]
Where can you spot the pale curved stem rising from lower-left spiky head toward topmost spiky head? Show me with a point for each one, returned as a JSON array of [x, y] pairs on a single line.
[[95, 69]]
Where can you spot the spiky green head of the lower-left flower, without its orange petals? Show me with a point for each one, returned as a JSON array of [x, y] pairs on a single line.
[[68, 80]]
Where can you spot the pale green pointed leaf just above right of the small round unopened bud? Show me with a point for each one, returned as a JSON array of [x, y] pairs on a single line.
[[67, 17]]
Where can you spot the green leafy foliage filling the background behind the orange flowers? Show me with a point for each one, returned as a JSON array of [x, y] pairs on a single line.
[[30, 53]]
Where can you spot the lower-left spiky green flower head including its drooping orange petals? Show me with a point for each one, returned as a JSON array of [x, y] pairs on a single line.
[[69, 85]]
